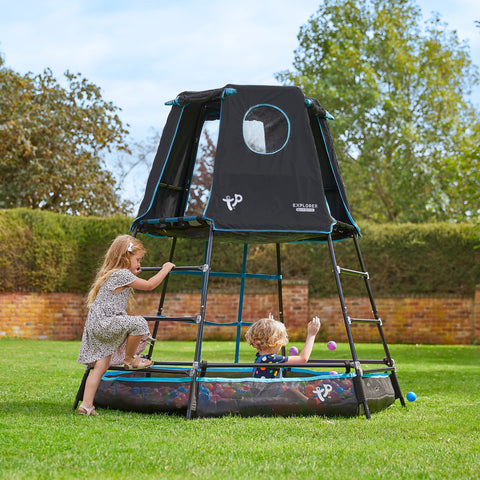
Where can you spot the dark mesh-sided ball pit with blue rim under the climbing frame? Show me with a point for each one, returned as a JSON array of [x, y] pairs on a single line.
[[304, 392]]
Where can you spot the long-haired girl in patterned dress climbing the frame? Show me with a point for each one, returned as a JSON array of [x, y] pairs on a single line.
[[108, 324]]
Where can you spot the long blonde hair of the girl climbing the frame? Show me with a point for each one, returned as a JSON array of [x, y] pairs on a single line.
[[117, 257]]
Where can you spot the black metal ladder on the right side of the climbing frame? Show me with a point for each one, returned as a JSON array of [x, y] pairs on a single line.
[[375, 321]]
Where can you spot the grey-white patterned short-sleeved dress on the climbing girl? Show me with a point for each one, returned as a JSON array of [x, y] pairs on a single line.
[[108, 323]]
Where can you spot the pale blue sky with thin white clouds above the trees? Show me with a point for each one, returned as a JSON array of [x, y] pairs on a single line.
[[142, 53]]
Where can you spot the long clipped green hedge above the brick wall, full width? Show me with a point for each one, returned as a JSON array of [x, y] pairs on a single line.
[[48, 252]]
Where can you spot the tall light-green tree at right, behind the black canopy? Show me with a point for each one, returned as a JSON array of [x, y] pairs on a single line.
[[405, 131]]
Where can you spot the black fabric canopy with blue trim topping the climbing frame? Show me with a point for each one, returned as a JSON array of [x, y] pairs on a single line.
[[276, 175]]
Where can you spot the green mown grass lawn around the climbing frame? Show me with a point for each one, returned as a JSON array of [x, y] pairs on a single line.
[[437, 436]]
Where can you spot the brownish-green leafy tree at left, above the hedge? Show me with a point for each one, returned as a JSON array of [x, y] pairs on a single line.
[[51, 143]]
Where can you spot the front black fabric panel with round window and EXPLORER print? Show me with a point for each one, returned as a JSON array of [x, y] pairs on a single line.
[[281, 191]]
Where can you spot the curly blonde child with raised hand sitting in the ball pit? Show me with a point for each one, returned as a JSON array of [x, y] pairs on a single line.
[[268, 336]]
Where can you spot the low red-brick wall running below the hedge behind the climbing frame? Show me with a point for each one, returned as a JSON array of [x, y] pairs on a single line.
[[60, 316]]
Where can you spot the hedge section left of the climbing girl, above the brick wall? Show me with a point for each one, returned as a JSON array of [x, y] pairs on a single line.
[[49, 252]]
